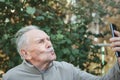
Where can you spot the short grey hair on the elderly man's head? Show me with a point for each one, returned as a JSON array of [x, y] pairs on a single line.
[[21, 39]]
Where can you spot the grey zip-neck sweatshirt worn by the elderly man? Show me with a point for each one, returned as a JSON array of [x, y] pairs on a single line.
[[57, 71]]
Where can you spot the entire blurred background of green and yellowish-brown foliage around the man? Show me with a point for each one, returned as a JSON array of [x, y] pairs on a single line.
[[79, 30]]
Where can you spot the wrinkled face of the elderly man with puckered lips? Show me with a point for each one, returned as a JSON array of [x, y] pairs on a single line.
[[39, 47]]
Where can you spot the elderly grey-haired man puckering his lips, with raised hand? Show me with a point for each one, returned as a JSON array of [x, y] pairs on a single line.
[[36, 50]]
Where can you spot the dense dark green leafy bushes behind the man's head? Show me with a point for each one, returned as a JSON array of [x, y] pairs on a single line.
[[71, 41]]
